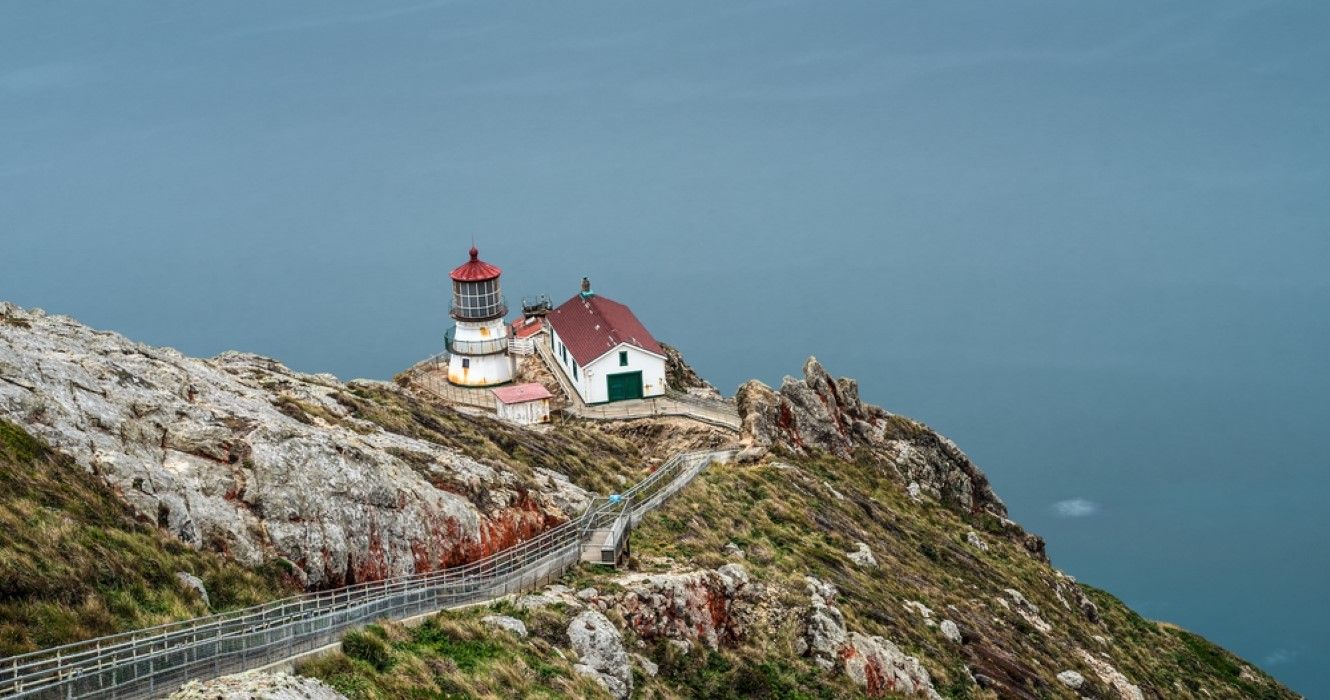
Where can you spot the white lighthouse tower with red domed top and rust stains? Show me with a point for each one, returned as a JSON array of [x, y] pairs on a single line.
[[478, 345]]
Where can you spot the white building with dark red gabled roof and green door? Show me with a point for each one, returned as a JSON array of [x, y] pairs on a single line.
[[604, 351]]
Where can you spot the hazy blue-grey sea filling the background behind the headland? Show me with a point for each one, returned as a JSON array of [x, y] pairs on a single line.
[[1090, 243]]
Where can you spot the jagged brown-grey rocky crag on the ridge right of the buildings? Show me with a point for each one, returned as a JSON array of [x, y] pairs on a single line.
[[820, 413]]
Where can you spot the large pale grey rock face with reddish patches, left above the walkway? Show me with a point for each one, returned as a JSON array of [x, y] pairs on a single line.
[[243, 456]]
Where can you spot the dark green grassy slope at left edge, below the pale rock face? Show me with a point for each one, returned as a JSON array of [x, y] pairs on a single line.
[[75, 564]]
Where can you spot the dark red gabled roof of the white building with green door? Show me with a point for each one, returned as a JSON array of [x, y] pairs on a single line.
[[594, 327]]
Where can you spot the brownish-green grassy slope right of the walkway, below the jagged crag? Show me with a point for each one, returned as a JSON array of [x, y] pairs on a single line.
[[791, 521]]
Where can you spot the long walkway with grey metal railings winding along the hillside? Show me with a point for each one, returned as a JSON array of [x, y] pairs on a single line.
[[144, 662]]
